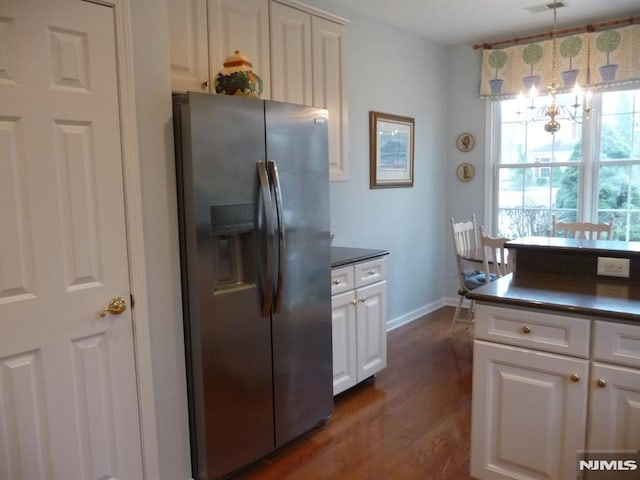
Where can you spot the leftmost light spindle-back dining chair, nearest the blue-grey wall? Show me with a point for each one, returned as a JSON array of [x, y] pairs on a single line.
[[465, 238]]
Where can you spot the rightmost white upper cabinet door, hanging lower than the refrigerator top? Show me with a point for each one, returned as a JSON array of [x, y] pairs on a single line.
[[329, 89]]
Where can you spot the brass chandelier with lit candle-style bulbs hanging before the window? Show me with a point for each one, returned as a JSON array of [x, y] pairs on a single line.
[[551, 112]]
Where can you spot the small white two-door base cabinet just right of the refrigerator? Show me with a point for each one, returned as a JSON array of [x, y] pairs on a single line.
[[359, 306]]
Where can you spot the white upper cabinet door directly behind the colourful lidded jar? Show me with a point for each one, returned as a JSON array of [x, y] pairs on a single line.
[[240, 25]]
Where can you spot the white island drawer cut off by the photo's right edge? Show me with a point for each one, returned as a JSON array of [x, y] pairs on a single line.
[[617, 343]]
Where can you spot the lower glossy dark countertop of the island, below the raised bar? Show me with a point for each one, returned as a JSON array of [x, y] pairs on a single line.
[[609, 298]]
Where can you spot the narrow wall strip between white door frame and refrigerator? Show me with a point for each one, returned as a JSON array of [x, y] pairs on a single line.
[[150, 39]]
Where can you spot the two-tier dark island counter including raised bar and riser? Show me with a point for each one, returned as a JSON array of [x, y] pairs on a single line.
[[561, 274]]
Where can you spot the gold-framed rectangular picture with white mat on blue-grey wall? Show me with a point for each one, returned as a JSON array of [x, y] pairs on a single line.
[[391, 150]]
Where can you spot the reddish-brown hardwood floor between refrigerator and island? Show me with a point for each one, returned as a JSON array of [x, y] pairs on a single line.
[[411, 422]]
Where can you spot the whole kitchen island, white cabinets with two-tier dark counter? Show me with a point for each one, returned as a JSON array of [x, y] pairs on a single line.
[[556, 360]]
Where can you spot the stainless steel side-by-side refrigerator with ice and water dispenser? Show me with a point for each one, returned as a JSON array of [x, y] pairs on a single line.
[[253, 197]]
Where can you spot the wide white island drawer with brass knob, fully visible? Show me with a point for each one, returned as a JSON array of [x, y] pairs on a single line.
[[533, 329]]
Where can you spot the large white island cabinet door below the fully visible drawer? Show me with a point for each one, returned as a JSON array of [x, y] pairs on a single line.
[[528, 414]]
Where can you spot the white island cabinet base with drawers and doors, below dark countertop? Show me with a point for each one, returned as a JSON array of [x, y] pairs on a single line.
[[547, 385]]
